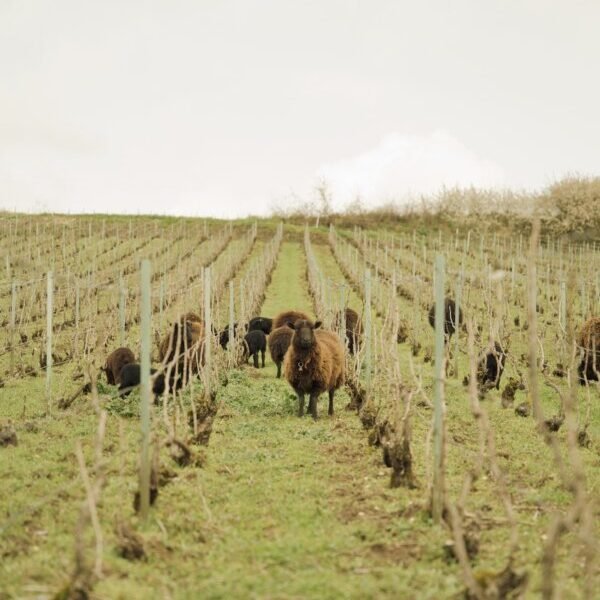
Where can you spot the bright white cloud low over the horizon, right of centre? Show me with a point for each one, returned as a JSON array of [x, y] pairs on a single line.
[[401, 167]]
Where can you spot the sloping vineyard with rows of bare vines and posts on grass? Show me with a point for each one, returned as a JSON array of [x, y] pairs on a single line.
[[427, 482]]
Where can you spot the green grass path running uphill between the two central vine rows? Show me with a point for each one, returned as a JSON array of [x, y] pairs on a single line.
[[292, 508]]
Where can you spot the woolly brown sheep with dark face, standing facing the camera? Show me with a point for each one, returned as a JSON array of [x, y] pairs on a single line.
[[314, 363]]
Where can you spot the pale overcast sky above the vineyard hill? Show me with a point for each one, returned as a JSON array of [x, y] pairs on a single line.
[[228, 107]]
